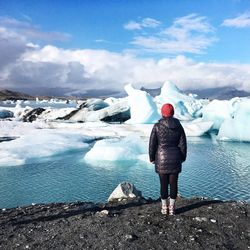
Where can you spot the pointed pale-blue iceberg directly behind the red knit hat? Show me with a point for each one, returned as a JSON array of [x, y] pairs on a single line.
[[186, 106]]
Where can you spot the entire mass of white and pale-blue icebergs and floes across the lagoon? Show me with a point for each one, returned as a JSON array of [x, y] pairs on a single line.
[[127, 141]]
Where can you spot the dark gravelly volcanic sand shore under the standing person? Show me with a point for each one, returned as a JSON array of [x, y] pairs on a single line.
[[199, 224]]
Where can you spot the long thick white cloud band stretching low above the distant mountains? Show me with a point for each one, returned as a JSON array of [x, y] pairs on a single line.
[[86, 70]]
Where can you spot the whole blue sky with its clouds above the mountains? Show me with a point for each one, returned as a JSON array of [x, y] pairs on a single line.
[[84, 46]]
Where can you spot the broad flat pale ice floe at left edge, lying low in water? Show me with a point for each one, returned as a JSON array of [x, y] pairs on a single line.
[[39, 143]]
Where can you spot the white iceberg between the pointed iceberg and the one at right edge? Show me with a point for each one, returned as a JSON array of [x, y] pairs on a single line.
[[219, 110]]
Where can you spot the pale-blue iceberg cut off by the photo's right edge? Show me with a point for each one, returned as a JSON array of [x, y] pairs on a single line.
[[237, 126]]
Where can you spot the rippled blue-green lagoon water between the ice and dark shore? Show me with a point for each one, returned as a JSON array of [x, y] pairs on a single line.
[[213, 169]]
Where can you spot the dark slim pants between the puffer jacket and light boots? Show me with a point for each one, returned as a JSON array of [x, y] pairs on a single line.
[[165, 180]]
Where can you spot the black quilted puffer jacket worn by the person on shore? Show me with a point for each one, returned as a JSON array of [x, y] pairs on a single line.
[[167, 146]]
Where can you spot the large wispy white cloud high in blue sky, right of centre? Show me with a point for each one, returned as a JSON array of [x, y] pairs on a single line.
[[188, 34]]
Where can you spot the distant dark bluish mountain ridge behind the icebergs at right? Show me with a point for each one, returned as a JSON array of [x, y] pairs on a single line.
[[224, 93]]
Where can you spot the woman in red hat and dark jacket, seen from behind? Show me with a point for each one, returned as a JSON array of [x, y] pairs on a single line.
[[167, 150]]
